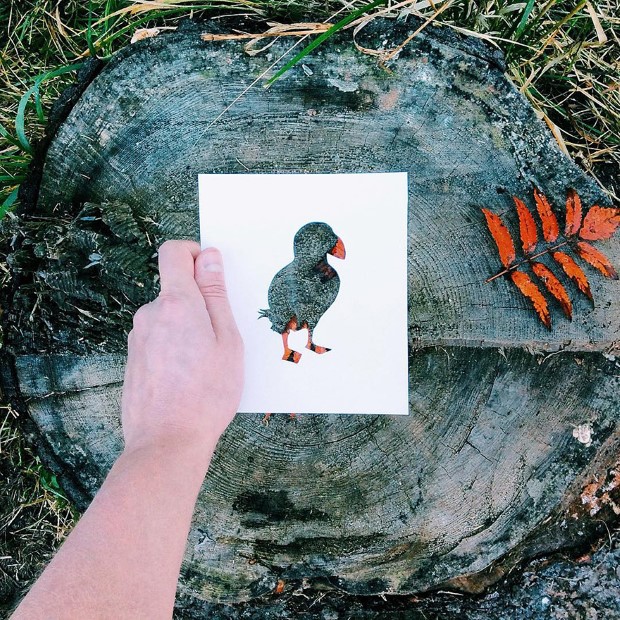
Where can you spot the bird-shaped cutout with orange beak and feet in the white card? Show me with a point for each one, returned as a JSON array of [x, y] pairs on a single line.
[[301, 292]]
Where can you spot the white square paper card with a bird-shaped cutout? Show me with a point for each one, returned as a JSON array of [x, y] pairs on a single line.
[[253, 220]]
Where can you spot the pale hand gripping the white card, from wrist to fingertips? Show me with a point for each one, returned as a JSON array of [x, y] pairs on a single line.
[[184, 373]]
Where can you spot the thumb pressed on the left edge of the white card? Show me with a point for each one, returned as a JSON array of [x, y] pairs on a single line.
[[209, 274]]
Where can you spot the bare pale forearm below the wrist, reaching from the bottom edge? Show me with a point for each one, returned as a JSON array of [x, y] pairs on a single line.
[[123, 558]]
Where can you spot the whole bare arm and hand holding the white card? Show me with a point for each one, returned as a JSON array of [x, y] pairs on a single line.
[[182, 387]]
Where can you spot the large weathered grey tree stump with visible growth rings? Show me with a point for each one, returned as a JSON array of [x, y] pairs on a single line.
[[485, 470]]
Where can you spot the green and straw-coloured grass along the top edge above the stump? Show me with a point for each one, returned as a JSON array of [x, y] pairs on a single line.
[[555, 55]]
